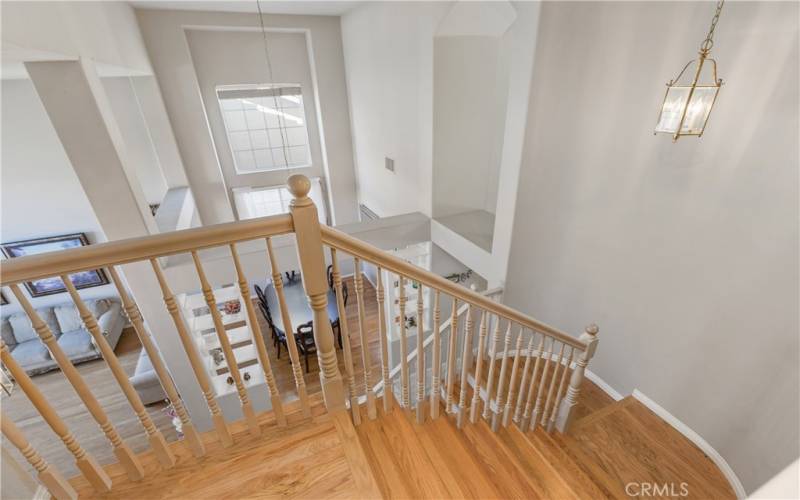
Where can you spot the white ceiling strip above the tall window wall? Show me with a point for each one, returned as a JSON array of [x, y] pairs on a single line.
[[298, 7]]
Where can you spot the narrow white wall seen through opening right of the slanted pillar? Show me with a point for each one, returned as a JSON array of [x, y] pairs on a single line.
[[135, 131]]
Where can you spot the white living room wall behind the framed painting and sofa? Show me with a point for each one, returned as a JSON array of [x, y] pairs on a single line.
[[41, 194]]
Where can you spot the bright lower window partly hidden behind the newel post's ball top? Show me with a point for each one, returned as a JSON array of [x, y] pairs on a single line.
[[252, 202]]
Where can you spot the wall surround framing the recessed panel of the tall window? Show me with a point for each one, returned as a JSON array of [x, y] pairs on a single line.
[[165, 36]]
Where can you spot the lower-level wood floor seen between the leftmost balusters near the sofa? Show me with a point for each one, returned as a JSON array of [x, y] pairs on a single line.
[[62, 397]]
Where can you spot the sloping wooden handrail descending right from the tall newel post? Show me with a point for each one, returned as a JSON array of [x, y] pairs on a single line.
[[358, 248]]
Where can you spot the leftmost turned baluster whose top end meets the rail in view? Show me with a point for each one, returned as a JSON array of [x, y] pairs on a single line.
[[121, 450]]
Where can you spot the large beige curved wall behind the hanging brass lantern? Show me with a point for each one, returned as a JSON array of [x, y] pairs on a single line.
[[686, 254]]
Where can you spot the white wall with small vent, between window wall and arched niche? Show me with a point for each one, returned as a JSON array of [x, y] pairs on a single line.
[[388, 50]]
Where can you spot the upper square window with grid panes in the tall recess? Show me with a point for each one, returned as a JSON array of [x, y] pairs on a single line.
[[266, 126]]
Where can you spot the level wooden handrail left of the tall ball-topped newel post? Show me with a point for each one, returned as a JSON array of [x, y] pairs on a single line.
[[74, 260]]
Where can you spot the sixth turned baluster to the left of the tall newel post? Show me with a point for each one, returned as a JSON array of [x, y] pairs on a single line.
[[154, 436]]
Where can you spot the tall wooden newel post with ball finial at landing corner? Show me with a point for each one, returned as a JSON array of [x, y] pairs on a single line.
[[312, 267]]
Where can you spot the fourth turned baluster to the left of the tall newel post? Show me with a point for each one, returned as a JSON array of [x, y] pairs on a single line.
[[198, 367]]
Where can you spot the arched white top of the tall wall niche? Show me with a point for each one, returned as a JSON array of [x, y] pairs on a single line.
[[468, 18]]
